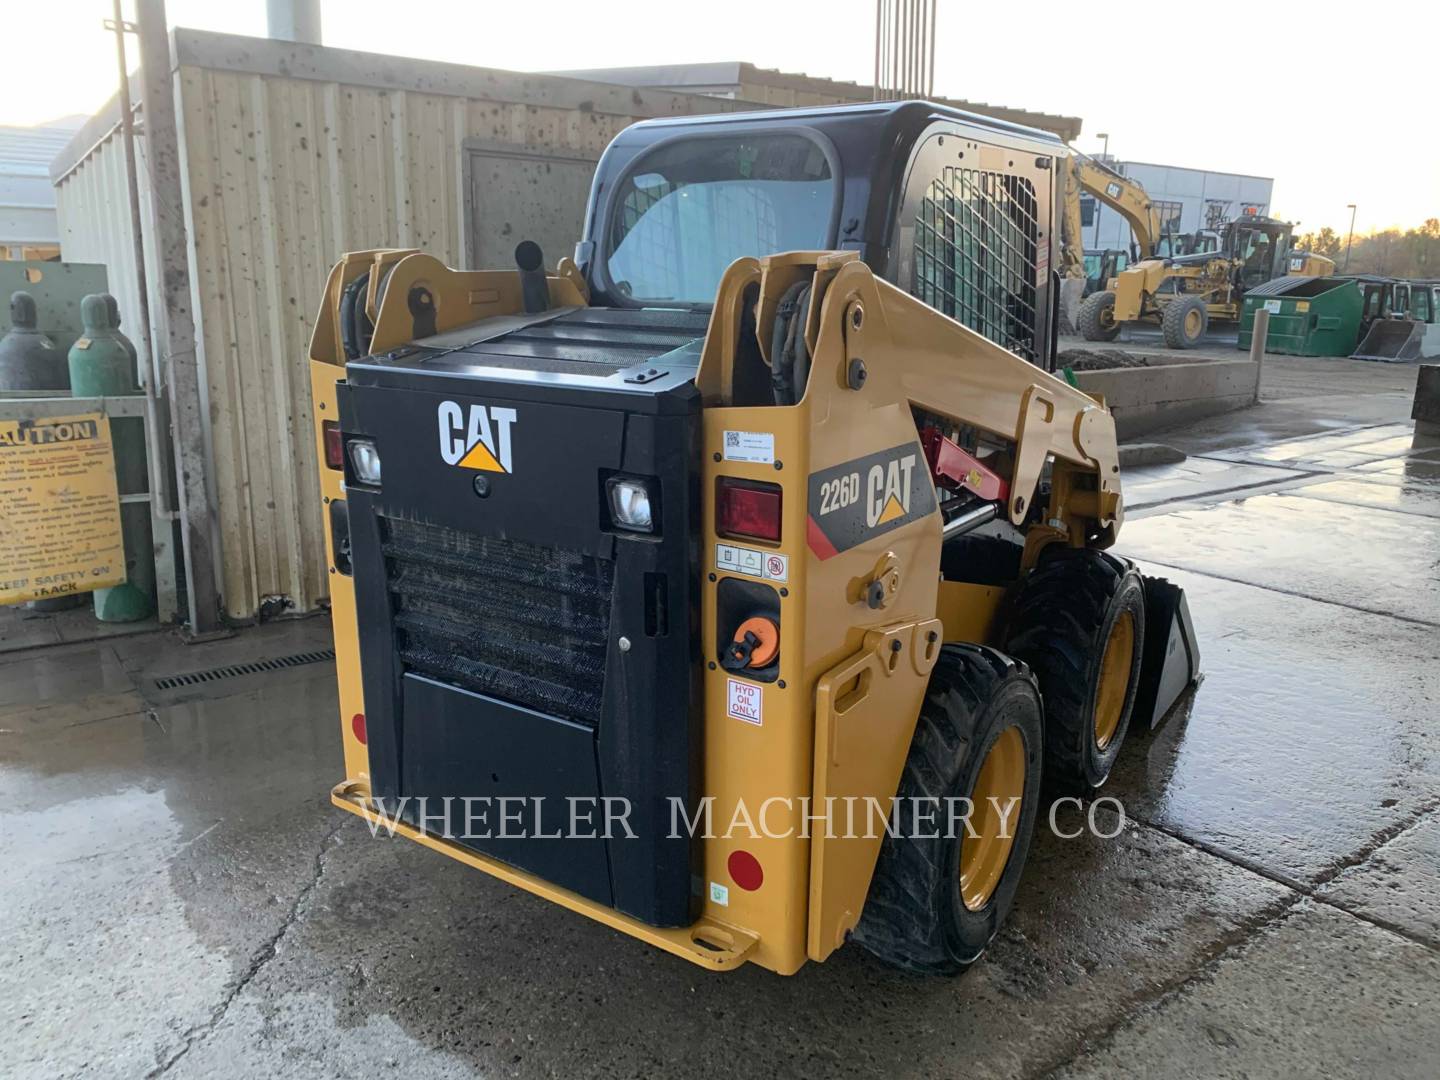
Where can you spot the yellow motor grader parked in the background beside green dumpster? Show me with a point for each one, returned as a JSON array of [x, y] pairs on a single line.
[[1183, 294]]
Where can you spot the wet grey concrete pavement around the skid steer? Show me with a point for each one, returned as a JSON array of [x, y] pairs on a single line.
[[182, 899]]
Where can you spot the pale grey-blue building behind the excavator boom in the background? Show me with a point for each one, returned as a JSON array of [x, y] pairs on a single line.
[[1189, 199]]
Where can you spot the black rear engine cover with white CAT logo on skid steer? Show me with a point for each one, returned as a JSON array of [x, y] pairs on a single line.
[[516, 644]]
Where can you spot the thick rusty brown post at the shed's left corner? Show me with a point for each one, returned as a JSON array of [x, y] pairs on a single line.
[[175, 320]]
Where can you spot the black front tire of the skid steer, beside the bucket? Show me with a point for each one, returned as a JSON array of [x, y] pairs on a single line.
[[1059, 624]]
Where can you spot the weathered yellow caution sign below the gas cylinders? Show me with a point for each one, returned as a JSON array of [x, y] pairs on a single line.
[[61, 509]]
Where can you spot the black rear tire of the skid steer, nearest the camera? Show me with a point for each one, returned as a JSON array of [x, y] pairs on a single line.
[[915, 918]]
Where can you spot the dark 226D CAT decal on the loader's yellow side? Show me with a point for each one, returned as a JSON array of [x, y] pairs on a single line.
[[868, 498]]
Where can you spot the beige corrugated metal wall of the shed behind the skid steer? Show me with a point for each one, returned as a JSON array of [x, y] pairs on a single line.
[[286, 176]]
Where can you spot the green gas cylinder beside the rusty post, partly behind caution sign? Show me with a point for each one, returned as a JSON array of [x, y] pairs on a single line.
[[103, 365]]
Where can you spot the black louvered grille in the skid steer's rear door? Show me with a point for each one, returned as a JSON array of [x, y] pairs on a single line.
[[505, 618]]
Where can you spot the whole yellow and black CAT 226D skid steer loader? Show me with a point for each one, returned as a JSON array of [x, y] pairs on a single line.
[[741, 584]]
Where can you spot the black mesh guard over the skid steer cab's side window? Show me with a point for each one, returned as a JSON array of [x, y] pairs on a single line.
[[976, 250]]
